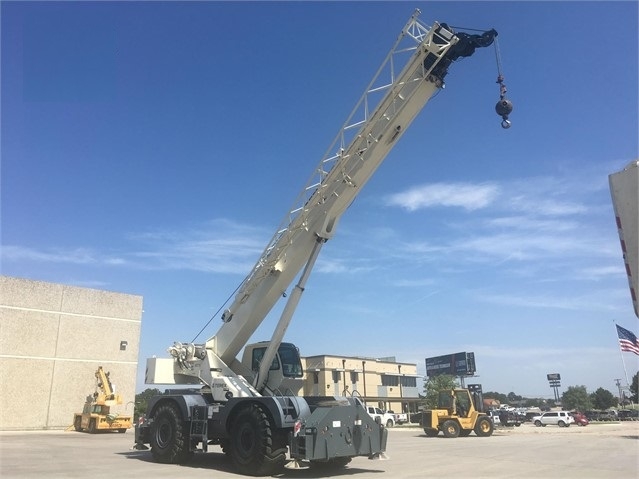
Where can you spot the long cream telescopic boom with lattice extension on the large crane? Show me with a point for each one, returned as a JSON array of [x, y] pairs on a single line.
[[358, 150]]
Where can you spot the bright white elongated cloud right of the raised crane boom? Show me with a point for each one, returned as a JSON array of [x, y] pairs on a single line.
[[463, 195]]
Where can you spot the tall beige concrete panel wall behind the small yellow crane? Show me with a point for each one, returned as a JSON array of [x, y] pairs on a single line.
[[53, 337]]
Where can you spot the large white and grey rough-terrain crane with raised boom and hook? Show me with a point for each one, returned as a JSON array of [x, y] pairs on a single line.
[[251, 408]]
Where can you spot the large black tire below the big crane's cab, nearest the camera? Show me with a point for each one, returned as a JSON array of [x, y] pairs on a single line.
[[254, 447]]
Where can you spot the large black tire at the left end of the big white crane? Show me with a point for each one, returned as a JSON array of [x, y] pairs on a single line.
[[169, 436]]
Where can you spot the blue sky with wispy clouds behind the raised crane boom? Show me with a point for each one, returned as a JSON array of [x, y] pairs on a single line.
[[153, 148]]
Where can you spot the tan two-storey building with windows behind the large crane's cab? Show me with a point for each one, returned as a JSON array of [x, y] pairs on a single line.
[[383, 382]]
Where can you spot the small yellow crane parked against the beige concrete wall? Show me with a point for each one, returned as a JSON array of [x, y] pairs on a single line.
[[96, 414]]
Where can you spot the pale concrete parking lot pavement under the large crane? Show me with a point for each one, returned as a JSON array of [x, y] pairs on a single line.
[[596, 451]]
